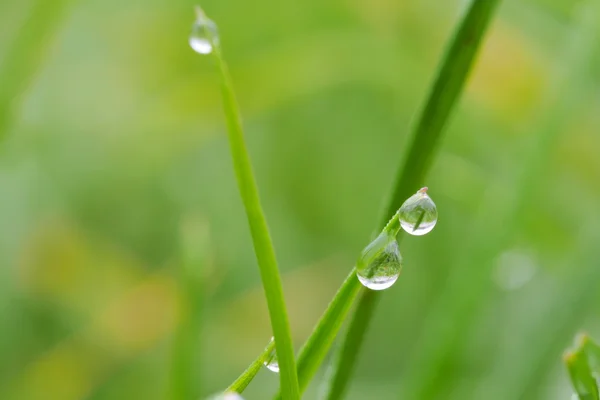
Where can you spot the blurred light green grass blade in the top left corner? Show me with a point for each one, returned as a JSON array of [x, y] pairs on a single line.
[[25, 54]]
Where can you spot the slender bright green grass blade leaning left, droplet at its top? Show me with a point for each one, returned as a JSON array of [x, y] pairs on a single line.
[[261, 238]]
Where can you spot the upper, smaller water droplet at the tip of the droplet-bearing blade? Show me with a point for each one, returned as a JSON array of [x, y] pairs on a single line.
[[418, 214]]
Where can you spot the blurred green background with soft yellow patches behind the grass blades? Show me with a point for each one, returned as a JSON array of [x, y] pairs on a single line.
[[115, 171]]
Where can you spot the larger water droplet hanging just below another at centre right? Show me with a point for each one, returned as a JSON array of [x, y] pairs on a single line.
[[379, 264]]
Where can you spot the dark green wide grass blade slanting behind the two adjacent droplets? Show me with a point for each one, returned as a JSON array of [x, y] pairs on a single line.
[[447, 87]]
